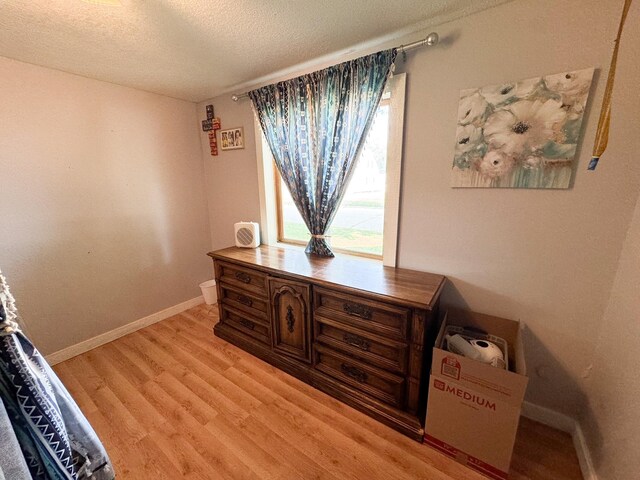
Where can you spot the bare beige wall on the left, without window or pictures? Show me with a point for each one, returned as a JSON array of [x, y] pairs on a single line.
[[102, 209]]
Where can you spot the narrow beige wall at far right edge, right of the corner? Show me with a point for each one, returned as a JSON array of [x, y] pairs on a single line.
[[612, 423]]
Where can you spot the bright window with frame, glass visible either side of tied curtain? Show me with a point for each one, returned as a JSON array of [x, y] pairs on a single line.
[[367, 219]]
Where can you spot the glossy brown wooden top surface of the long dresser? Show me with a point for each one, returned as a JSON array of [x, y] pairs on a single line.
[[410, 287]]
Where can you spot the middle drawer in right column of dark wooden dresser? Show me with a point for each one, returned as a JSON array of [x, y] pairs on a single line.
[[378, 351]]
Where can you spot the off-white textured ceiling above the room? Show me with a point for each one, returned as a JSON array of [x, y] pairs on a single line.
[[196, 49]]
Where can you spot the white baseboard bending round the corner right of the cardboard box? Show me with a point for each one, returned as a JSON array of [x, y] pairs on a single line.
[[563, 422]]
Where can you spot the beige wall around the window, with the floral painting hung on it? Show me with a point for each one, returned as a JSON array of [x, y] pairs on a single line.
[[546, 257]]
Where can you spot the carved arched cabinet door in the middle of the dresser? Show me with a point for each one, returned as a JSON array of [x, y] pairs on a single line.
[[290, 310]]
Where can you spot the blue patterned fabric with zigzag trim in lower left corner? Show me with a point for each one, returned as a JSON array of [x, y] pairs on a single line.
[[55, 440]]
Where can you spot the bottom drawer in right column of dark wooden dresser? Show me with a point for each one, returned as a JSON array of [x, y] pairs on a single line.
[[377, 383]]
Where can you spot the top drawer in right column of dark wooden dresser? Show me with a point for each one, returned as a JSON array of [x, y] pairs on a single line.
[[377, 317]]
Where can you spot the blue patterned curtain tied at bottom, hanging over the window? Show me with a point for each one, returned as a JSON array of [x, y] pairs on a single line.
[[316, 125]]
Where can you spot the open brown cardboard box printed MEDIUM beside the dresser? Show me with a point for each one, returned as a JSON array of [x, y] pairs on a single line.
[[473, 408]]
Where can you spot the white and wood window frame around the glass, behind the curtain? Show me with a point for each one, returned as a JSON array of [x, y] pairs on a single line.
[[272, 228]]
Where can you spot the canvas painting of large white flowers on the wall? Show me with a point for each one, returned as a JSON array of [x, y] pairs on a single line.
[[522, 134]]
